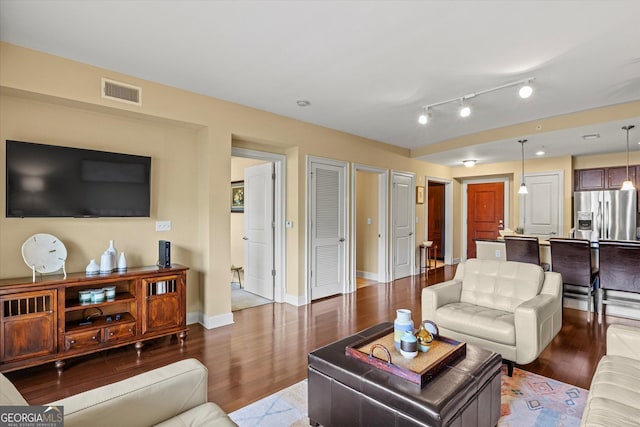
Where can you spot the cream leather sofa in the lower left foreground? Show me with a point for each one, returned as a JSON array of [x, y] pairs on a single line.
[[174, 395]]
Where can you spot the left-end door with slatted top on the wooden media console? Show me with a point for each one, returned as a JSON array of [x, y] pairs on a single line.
[[28, 325]]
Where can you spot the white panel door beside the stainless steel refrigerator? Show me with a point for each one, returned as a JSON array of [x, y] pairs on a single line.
[[542, 206]]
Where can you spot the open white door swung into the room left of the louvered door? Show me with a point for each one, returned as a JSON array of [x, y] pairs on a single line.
[[258, 230]]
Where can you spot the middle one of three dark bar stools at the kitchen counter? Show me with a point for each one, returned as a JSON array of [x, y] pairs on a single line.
[[572, 259]]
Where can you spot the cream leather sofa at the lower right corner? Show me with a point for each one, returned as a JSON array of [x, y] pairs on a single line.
[[614, 396]]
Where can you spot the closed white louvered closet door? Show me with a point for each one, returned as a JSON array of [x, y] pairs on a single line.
[[328, 237]]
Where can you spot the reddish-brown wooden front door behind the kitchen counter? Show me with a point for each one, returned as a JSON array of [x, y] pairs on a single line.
[[485, 213]]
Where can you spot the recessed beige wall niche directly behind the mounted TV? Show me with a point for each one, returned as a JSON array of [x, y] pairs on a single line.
[[173, 149]]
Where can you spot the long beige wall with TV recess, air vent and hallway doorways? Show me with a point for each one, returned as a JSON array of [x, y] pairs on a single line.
[[189, 137]]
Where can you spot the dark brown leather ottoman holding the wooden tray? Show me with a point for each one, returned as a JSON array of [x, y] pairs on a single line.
[[344, 391]]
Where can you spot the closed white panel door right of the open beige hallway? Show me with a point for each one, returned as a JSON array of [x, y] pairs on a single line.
[[403, 212]]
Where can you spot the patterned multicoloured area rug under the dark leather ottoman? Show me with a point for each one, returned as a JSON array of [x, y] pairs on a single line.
[[527, 400]]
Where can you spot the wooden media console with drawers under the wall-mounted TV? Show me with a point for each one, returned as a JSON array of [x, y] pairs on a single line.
[[44, 321]]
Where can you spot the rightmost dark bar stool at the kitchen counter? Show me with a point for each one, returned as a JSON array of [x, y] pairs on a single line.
[[619, 271]]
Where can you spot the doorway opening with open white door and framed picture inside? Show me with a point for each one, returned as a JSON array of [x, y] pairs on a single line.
[[256, 228]]
